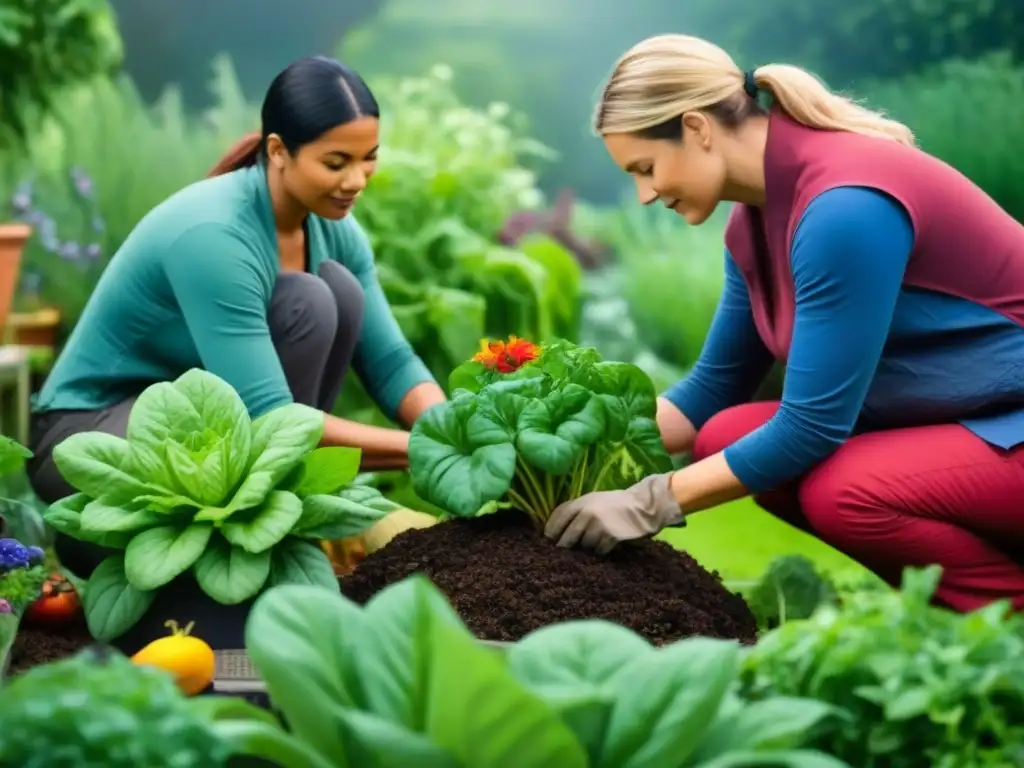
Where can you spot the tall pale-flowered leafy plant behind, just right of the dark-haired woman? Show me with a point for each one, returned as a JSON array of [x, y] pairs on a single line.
[[449, 178]]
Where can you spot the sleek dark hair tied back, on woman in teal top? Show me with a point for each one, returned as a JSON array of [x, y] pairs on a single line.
[[307, 100]]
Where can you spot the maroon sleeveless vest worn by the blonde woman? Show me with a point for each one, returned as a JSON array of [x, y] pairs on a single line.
[[965, 244]]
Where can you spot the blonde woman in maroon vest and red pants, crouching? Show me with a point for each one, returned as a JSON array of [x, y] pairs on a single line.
[[890, 286]]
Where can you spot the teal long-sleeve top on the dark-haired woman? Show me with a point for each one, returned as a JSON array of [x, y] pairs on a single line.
[[191, 288]]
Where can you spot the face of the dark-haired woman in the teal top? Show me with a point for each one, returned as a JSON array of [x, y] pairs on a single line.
[[328, 176]]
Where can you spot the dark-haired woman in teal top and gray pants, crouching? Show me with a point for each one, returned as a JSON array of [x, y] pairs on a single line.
[[258, 275]]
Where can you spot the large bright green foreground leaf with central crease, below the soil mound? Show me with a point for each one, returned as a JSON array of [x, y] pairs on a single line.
[[414, 649]]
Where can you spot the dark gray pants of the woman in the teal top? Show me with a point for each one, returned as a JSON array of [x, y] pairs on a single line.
[[315, 323]]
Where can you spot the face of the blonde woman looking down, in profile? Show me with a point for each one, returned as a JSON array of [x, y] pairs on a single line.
[[688, 177]]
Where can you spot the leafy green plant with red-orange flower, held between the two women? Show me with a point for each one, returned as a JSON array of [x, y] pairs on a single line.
[[534, 428]]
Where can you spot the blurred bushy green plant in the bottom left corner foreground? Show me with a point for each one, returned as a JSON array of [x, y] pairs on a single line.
[[134, 716]]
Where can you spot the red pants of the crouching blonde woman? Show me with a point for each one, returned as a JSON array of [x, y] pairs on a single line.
[[907, 497]]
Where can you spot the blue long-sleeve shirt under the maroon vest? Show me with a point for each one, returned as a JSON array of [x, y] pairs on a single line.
[[867, 352]]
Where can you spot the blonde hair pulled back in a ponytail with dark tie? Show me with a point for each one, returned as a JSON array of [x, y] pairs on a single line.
[[663, 77]]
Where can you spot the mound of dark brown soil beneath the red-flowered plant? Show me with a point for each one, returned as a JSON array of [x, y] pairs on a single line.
[[506, 581]]
